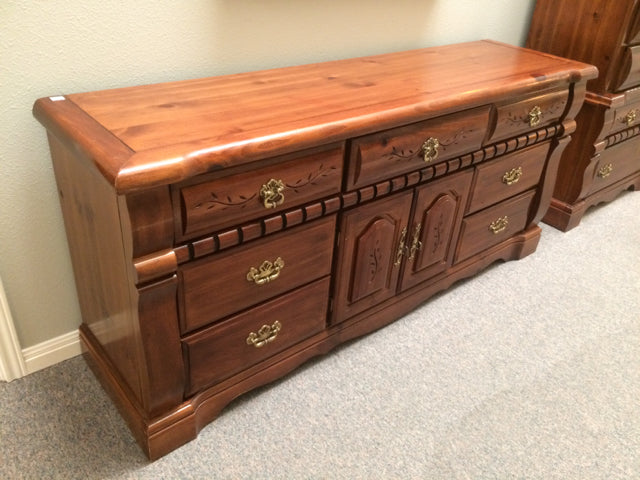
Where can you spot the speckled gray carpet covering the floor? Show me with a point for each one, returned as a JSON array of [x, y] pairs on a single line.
[[530, 370]]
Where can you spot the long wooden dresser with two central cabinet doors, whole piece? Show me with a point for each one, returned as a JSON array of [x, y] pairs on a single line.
[[225, 230]]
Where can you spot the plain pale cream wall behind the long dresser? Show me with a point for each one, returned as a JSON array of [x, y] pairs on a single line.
[[58, 47]]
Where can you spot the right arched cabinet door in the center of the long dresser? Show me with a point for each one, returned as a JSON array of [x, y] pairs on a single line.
[[436, 224]]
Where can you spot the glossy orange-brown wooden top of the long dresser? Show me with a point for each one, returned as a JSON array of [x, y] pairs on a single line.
[[158, 134]]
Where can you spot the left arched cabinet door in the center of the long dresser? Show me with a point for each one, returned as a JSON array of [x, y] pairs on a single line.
[[372, 245]]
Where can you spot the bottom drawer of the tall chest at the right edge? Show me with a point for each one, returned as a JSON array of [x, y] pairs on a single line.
[[615, 163]]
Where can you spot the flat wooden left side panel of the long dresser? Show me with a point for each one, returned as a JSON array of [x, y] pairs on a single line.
[[92, 224]]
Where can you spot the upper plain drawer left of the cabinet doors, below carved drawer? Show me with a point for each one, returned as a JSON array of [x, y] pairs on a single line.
[[223, 284]]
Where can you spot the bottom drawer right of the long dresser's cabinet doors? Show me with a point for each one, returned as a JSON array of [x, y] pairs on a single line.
[[493, 225]]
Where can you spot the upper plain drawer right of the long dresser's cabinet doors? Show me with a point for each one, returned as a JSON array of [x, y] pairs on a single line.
[[513, 174]]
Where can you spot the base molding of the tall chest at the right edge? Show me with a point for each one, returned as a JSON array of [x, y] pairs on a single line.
[[565, 216]]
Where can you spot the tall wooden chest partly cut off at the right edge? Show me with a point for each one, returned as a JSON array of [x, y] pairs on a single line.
[[603, 158]]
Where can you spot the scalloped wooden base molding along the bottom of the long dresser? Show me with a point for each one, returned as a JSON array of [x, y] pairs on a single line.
[[159, 436]]
